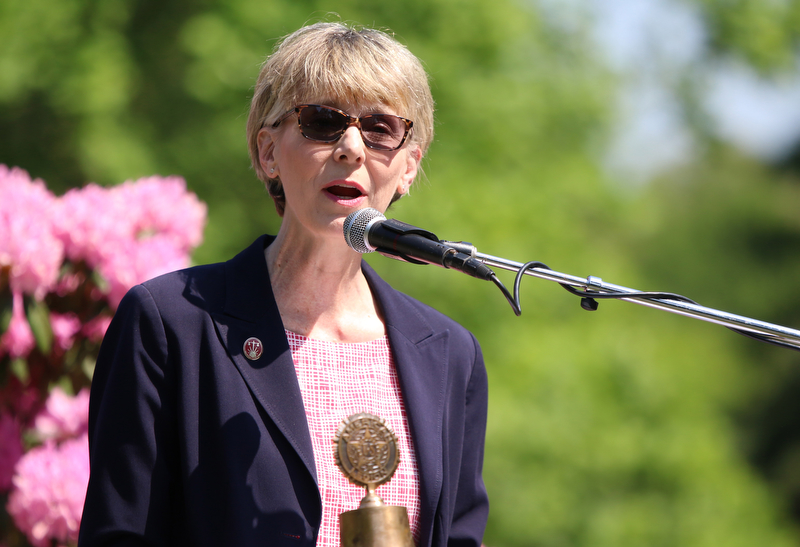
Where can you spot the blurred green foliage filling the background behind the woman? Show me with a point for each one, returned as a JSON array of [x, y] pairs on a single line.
[[621, 427]]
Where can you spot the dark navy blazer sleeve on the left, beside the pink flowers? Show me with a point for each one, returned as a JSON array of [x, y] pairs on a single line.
[[131, 440]]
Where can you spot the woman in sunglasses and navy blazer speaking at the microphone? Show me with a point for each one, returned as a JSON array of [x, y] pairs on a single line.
[[218, 389]]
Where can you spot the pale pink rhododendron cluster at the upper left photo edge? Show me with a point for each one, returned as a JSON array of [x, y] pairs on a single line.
[[27, 242]]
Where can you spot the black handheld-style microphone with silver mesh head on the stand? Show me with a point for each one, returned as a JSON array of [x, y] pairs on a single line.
[[367, 230]]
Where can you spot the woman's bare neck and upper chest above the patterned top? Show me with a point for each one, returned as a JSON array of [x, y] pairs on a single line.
[[321, 292]]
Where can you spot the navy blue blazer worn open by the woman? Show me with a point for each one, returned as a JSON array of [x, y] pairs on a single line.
[[193, 444]]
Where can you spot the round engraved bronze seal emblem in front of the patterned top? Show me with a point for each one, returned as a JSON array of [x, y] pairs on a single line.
[[366, 450]]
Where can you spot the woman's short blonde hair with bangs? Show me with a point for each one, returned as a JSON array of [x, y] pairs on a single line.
[[336, 62]]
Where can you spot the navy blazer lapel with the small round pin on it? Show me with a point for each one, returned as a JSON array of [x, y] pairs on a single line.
[[250, 311]]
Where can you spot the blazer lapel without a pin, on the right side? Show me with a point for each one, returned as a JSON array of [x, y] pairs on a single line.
[[420, 356]]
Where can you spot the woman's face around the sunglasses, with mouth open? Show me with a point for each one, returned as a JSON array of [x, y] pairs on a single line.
[[325, 182]]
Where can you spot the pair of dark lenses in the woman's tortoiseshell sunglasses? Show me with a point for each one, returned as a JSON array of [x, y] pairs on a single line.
[[325, 124]]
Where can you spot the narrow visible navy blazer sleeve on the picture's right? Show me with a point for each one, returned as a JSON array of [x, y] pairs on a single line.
[[471, 507]]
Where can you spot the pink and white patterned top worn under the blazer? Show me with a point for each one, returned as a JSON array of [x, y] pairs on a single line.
[[338, 380]]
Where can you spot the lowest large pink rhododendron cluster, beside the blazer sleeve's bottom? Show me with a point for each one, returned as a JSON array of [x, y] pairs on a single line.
[[49, 488]]
